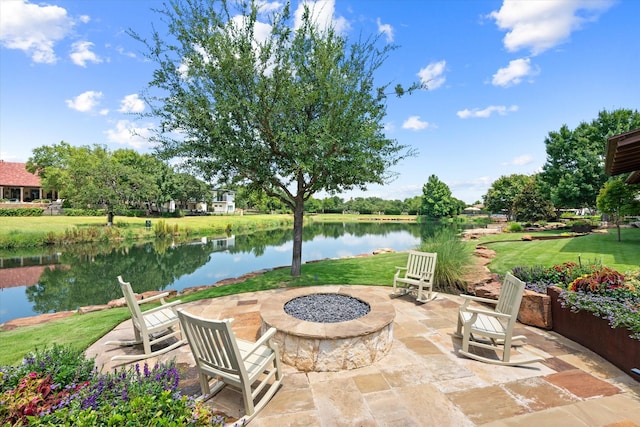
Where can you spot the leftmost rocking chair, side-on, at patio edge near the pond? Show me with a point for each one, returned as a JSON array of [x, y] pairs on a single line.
[[150, 327]]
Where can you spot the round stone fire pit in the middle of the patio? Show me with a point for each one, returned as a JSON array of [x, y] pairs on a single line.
[[334, 345]]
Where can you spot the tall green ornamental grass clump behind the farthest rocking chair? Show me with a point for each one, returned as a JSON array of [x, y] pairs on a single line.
[[453, 257]]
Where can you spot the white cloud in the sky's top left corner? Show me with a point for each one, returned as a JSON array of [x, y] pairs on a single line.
[[34, 29]]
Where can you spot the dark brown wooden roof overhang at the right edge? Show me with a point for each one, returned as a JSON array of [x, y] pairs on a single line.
[[623, 155]]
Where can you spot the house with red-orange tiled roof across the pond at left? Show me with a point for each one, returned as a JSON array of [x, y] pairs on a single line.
[[19, 185]]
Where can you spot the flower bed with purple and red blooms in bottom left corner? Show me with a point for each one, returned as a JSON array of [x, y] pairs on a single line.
[[59, 386]]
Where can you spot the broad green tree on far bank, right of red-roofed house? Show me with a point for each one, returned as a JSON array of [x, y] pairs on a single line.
[[92, 176]]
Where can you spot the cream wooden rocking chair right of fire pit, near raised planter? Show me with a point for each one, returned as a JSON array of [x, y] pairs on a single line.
[[493, 329]]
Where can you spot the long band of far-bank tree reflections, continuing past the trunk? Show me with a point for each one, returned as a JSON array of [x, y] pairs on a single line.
[[87, 274]]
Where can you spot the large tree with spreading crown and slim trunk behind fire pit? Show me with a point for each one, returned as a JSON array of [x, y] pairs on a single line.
[[288, 108]]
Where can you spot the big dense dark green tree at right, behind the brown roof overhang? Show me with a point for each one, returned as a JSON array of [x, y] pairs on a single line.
[[574, 171]]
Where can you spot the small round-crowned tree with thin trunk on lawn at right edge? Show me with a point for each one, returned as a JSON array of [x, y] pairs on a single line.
[[619, 199]]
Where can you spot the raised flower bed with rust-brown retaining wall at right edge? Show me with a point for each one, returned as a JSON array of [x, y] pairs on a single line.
[[593, 305]]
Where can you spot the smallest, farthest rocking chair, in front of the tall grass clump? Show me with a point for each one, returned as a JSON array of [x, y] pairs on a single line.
[[418, 276]]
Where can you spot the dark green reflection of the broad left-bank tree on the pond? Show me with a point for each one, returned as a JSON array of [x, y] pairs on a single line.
[[91, 278]]
